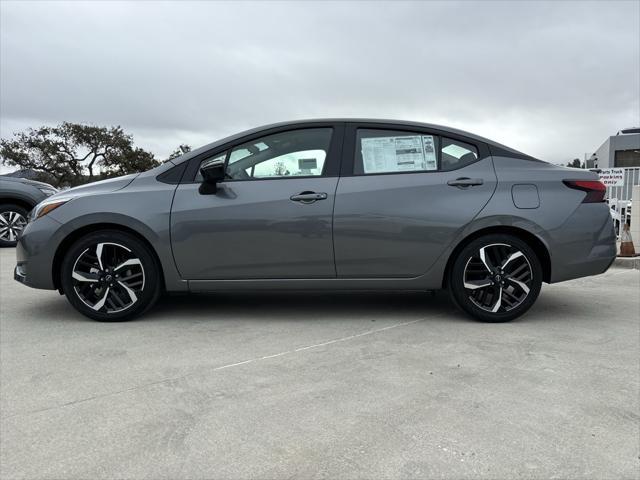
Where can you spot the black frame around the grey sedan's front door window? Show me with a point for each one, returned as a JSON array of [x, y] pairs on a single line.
[[331, 166]]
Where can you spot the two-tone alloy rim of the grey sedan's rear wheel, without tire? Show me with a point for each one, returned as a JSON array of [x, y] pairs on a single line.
[[498, 278]]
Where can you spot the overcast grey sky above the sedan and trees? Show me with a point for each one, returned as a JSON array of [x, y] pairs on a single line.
[[551, 79]]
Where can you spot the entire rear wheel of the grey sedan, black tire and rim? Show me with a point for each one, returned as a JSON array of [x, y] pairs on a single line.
[[513, 290]]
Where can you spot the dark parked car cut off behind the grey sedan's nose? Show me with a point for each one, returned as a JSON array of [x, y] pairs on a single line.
[[17, 197]]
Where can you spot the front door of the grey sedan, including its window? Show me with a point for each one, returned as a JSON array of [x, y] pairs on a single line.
[[272, 217]]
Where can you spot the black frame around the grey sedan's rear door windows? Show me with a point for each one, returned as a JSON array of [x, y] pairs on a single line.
[[350, 145]]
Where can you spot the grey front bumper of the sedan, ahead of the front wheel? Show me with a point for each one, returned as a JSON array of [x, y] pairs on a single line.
[[35, 253]]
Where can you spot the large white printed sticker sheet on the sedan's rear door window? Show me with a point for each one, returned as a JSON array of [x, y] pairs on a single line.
[[398, 154]]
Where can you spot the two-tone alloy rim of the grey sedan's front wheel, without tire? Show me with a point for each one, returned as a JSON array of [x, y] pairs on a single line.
[[108, 278]]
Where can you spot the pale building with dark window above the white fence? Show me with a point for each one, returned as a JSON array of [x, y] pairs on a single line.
[[620, 150]]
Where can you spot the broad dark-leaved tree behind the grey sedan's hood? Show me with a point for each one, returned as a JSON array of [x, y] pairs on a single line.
[[70, 153]]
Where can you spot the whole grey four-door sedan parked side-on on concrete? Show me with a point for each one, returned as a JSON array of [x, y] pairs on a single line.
[[324, 204]]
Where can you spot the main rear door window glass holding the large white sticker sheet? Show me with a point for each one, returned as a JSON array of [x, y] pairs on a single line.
[[392, 151]]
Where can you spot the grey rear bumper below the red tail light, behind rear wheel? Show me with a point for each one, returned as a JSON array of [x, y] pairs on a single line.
[[584, 245]]
